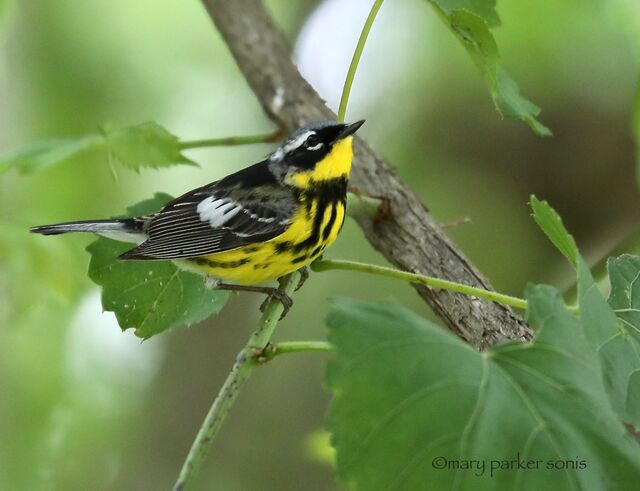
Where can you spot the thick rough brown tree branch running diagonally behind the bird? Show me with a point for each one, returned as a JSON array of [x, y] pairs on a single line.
[[406, 234]]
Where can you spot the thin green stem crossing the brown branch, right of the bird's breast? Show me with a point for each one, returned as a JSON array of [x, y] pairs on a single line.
[[326, 264]]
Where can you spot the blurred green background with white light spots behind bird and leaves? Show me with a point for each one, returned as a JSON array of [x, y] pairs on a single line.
[[84, 406]]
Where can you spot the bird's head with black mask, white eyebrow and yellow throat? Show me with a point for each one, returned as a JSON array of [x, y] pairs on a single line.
[[316, 152]]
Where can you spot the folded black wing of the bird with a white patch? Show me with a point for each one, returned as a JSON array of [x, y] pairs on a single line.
[[245, 207]]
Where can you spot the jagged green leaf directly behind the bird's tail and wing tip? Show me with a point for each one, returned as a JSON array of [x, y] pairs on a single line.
[[149, 296]]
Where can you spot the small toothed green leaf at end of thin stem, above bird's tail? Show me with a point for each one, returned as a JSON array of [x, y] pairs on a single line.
[[145, 145]]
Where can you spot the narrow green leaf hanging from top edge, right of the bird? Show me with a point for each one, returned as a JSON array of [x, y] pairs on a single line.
[[470, 21]]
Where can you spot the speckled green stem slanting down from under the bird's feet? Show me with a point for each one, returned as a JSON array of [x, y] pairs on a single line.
[[240, 372]]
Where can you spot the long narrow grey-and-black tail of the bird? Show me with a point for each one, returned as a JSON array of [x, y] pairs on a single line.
[[126, 230]]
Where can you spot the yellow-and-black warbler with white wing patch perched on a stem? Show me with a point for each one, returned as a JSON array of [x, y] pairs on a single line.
[[253, 226]]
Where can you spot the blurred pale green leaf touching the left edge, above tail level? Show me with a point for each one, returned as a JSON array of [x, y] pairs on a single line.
[[43, 154]]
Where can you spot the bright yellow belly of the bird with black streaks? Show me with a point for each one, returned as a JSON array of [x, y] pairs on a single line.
[[265, 261]]
